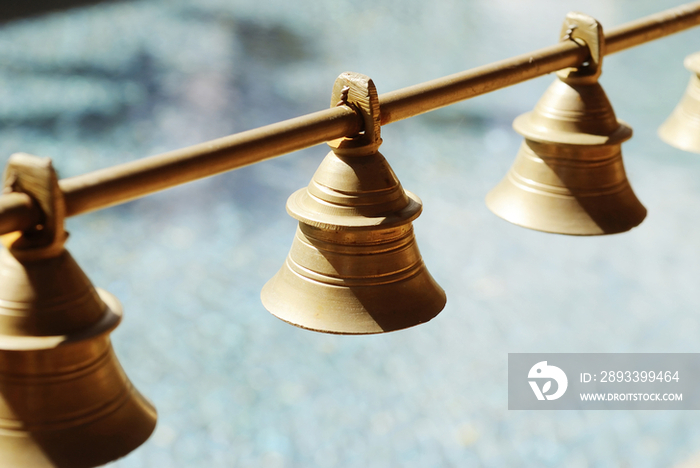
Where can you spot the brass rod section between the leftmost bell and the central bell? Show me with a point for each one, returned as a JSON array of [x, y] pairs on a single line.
[[118, 184]]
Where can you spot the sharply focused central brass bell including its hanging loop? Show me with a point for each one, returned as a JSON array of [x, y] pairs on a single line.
[[354, 266]]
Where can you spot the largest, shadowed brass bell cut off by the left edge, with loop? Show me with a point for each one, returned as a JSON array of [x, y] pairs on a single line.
[[64, 399]]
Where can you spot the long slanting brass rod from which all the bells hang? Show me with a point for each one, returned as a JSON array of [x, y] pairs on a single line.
[[124, 182]]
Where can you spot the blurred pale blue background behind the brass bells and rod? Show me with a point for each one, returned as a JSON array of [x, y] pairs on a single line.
[[98, 85]]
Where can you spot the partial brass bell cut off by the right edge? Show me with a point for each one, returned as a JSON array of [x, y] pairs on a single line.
[[682, 128]]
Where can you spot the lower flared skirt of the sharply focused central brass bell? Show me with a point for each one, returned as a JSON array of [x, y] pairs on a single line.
[[346, 283]]
